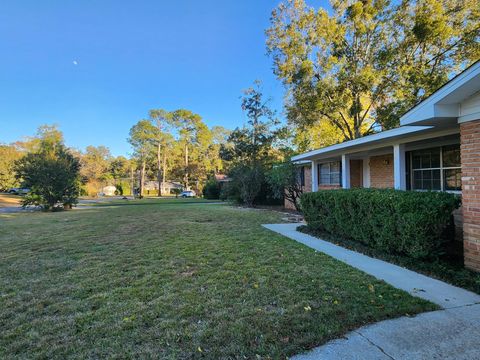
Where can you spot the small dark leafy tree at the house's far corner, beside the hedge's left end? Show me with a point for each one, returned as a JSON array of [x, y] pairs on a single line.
[[285, 183]]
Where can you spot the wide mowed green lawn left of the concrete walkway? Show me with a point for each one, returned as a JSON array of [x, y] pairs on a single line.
[[173, 279]]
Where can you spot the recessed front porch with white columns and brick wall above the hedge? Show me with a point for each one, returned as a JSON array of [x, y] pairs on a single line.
[[430, 161]]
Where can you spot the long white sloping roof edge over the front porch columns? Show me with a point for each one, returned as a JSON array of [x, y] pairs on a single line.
[[375, 140]]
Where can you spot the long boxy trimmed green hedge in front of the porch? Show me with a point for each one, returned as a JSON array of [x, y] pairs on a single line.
[[397, 222]]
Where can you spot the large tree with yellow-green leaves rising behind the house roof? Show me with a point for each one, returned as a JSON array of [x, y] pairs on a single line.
[[365, 62]]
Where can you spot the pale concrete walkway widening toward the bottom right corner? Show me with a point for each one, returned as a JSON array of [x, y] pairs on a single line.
[[451, 333]]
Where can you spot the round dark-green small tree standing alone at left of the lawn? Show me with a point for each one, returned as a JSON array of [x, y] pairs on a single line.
[[53, 176]]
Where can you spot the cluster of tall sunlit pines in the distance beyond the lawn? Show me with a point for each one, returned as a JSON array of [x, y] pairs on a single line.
[[181, 147]]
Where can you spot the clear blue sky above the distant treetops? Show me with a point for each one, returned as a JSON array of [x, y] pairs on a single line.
[[96, 67]]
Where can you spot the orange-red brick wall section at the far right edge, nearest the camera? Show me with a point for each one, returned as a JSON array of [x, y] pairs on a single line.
[[470, 151]]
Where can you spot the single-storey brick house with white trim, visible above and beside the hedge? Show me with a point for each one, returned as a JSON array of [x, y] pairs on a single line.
[[437, 147]]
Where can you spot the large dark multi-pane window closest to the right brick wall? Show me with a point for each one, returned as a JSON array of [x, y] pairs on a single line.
[[436, 168]]
